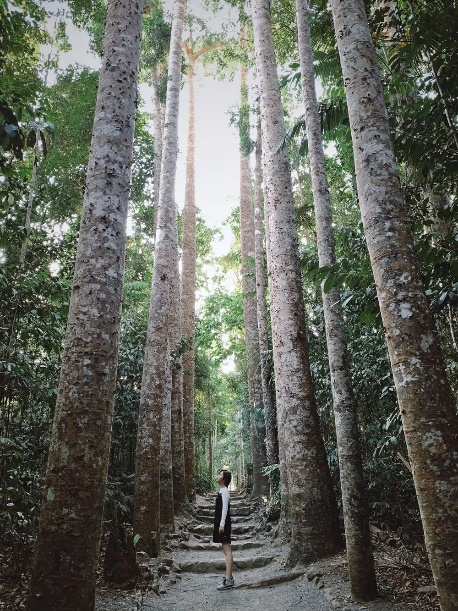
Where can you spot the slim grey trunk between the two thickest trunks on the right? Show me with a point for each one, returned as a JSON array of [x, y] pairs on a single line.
[[355, 508]]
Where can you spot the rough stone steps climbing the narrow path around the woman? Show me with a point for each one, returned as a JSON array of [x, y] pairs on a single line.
[[195, 565]]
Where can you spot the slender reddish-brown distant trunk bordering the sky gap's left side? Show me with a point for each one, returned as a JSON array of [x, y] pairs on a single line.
[[188, 293]]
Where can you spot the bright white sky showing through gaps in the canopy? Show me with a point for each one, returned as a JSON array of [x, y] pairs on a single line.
[[217, 153]]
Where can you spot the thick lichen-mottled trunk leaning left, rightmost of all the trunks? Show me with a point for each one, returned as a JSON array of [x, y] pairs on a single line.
[[424, 396]]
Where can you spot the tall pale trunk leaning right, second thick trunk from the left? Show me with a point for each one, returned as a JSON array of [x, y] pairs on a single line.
[[162, 322]]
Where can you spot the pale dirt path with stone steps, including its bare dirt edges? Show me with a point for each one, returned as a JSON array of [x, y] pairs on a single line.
[[192, 567]]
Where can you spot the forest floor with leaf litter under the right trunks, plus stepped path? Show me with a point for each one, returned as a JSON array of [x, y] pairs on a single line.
[[186, 574]]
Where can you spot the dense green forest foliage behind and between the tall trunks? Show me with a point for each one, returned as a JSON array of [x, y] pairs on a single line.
[[46, 118]]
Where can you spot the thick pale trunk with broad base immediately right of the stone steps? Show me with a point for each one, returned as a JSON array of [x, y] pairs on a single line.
[[313, 511]]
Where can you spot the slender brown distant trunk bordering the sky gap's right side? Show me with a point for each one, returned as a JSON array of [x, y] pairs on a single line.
[[258, 449]]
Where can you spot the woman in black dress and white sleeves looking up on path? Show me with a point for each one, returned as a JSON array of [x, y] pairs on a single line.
[[222, 526]]
